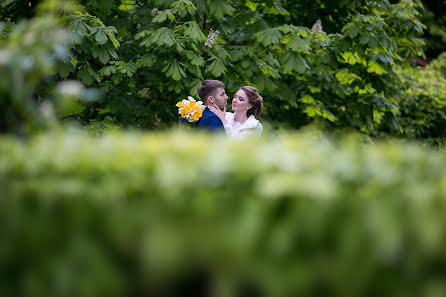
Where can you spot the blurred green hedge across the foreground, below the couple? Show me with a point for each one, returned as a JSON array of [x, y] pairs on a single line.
[[174, 215]]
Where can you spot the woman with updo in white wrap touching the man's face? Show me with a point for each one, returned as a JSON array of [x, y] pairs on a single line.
[[247, 105]]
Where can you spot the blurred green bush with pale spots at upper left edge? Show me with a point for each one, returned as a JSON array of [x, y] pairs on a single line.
[[31, 52]]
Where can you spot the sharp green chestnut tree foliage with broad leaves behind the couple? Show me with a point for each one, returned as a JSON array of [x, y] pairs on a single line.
[[159, 46]]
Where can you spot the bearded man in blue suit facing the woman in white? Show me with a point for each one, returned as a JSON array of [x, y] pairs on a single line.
[[211, 92]]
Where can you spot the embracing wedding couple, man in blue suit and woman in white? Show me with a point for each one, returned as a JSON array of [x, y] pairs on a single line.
[[247, 104]]
